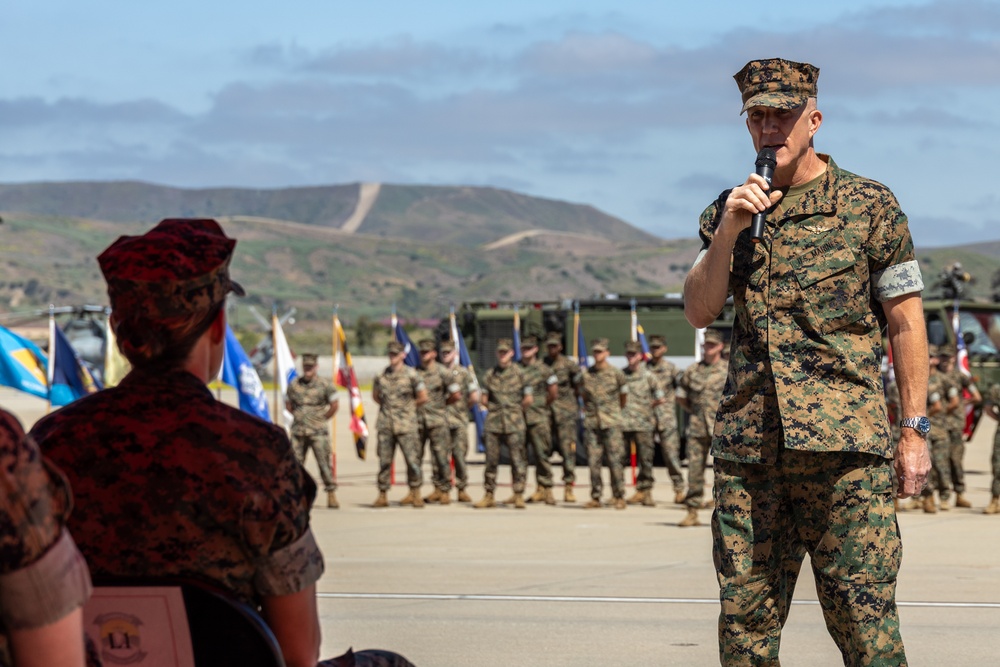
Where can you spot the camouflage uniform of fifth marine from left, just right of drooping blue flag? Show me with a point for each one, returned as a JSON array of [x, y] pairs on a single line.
[[504, 388]]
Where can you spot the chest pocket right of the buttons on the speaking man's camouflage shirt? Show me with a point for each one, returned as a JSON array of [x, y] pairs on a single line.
[[834, 292]]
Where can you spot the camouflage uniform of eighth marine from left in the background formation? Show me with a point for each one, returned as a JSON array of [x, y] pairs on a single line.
[[601, 390]]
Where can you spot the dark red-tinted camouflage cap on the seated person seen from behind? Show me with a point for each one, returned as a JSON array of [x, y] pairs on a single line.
[[178, 268]]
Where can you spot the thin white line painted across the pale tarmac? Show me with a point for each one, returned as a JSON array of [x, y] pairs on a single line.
[[604, 600]]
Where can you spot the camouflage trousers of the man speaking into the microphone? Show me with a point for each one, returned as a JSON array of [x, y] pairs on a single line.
[[835, 506]]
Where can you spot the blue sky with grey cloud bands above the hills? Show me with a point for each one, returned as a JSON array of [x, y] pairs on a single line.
[[625, 105]]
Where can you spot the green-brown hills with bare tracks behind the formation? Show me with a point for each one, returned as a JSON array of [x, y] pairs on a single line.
[[365, 247]]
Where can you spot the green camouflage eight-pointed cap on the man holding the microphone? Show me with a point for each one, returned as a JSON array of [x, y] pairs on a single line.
[[777, 83]]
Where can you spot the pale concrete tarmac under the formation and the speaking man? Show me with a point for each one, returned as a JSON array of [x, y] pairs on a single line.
[[457, 587]]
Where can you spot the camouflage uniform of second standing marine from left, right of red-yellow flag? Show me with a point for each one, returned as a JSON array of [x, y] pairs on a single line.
[[397, 424]]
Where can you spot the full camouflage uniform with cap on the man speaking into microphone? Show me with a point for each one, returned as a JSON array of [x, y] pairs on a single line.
[[802, 442]]
